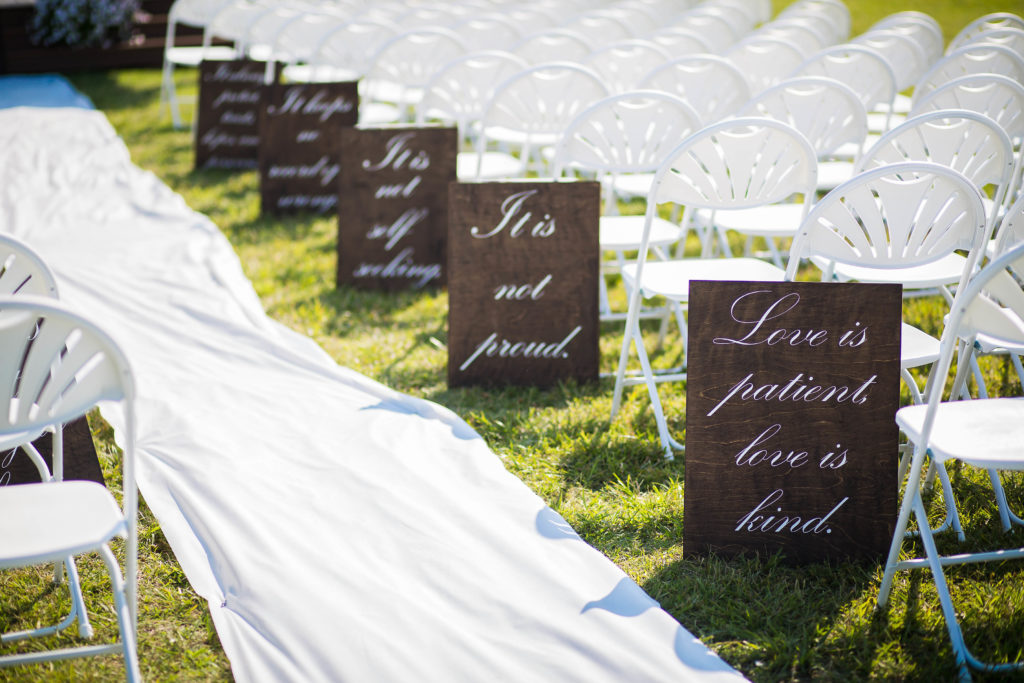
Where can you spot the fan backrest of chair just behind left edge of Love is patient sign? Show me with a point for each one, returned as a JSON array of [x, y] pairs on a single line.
[[736, 164]]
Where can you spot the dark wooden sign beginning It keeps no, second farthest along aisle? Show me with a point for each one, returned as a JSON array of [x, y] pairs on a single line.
[[301, 144]]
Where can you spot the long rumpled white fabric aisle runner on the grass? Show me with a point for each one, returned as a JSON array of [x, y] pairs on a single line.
[[339, 531]]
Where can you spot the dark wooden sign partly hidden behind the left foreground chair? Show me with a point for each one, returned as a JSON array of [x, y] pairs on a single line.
[[80, 460]]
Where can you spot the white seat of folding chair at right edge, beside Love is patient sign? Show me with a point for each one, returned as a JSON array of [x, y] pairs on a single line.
[[974, 432]]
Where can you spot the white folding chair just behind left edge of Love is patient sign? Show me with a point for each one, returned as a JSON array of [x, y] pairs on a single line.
[[734, 164]]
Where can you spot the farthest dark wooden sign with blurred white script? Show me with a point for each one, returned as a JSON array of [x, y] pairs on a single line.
[[228, 118]]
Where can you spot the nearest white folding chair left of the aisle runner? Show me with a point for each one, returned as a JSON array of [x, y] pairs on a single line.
[[58, 366]]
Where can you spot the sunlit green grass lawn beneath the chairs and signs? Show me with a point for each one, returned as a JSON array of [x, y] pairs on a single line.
[[609, 480]]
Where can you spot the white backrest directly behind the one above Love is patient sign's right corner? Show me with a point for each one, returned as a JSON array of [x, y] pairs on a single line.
[[967, 142]]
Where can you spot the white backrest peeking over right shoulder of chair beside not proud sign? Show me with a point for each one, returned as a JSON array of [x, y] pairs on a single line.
[[712, 86]]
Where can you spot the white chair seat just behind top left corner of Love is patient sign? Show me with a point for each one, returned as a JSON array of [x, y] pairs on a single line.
[[672, 279]]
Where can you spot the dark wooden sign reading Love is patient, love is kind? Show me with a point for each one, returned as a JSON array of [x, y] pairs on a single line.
[[791, 439]]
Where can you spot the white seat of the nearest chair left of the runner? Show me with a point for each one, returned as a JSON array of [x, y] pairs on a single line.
[[36, 526]]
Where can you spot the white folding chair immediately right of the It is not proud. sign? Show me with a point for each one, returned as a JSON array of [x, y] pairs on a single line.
[[626, 135]]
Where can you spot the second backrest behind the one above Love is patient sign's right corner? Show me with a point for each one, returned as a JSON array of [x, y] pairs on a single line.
[[999, 98]]
